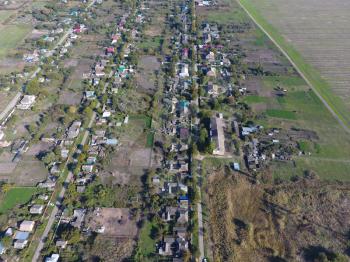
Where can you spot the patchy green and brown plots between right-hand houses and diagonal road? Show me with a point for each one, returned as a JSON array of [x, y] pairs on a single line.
[[284, 100]]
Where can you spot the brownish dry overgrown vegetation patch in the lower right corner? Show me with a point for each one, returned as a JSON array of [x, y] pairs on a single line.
[[295, 221]]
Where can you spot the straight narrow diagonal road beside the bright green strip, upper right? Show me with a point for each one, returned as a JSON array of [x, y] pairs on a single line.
[[335, 115]]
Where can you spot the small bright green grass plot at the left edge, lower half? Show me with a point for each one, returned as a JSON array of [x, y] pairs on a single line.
[[16, 196]]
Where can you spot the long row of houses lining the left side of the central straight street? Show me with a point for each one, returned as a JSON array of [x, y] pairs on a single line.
[[177, 158]]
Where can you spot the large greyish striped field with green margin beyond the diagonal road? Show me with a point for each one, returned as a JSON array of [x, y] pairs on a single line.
[[315, 36]]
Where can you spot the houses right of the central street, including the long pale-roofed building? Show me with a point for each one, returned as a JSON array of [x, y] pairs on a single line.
[[259, 146]]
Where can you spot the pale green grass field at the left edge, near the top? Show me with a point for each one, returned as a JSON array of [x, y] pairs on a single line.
[[14, 36]]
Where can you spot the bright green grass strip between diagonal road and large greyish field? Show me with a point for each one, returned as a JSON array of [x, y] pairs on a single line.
[[312, 75]]
